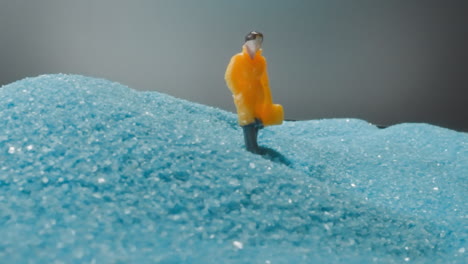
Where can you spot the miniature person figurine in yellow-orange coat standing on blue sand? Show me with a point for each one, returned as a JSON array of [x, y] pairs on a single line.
[[247, 78]]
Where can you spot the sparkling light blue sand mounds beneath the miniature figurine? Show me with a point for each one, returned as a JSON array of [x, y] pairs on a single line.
[[92, 171]]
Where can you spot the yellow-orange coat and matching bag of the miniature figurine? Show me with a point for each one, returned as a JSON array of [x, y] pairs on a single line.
[[248, 81]]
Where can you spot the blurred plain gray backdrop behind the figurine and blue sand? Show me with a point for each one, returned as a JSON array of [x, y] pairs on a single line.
[[384, 61]]
